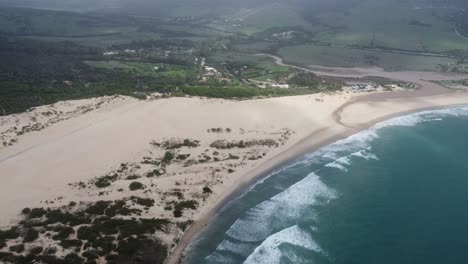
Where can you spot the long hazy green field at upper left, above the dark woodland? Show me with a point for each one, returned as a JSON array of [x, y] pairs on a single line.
[[94, 30]]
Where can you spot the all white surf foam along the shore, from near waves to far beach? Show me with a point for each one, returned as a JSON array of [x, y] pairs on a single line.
[[272, 215]]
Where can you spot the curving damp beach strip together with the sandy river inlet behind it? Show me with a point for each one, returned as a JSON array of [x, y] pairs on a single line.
[[357, 114]]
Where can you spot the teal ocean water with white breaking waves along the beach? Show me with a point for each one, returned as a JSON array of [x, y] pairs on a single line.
[[396, 193]]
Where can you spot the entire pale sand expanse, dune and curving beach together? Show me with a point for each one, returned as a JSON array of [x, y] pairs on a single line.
[[53, 150]]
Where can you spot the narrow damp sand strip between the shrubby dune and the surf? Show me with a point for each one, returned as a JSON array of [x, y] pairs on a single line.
[[305, 146]]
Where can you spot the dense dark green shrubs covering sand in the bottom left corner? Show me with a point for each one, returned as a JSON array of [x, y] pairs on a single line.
[[102, 232]]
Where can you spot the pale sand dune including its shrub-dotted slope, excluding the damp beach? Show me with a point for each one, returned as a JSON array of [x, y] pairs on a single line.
[[94, 156]]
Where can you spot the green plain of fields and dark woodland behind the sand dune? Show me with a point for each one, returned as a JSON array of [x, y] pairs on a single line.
[[77, 55]]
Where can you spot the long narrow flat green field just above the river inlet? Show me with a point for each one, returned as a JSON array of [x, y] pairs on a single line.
[[346, 57]]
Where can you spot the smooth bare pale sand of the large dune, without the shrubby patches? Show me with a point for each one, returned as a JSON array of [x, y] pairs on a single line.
[[41, 164]]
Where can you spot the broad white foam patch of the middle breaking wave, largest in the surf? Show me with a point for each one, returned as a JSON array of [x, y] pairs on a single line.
[[258, 223]]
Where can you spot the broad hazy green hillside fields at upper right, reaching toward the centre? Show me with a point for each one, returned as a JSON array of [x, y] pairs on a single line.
[[366, 23]]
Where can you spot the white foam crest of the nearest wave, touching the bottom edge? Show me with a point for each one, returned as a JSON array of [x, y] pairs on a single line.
[[269, 251]]
